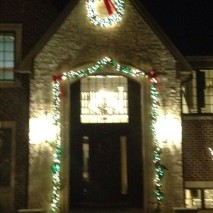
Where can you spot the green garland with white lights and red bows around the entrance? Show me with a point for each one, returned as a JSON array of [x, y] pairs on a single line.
[[57, 93]]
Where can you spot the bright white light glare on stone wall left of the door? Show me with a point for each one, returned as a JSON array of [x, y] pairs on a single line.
[[42, 129]]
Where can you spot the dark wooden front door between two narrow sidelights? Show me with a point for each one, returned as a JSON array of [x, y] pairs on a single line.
[[104, 167]]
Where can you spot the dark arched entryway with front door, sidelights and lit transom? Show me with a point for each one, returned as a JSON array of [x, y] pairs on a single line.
[[105, 153]]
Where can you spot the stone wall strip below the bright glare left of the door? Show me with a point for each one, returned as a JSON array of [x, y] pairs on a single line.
[[40, 187]]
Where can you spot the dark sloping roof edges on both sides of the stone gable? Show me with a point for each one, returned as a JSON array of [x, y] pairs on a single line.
[[27, 62]]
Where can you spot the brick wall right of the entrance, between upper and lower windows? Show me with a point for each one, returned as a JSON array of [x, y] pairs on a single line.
[[197, 138]]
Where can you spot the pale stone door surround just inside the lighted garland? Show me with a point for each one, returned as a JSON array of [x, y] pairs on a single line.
[[146, 146]]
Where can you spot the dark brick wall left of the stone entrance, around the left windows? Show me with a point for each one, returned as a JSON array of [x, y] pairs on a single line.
[[35, 17]]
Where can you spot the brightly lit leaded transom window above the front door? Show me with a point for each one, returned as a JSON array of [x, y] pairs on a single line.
[[105, 83]]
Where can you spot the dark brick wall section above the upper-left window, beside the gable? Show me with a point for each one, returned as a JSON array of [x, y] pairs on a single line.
[[36, 17]]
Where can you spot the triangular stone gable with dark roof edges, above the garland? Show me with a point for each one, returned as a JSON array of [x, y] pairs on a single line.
[[134, 38]]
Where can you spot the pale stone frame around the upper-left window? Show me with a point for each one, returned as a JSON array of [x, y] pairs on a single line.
[[17, 30]]
